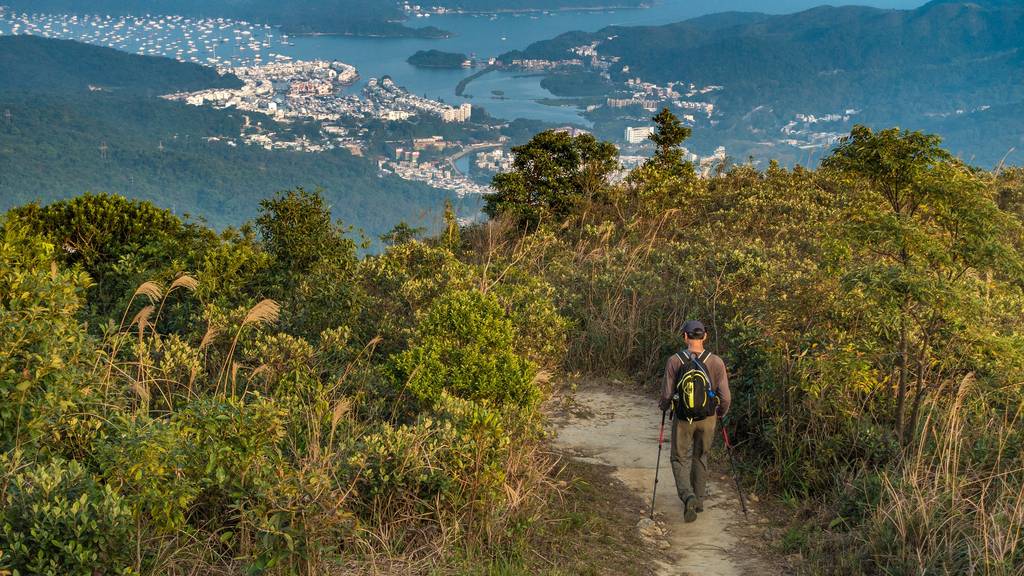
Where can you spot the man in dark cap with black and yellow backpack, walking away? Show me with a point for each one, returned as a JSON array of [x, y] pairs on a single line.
[[694, 428]]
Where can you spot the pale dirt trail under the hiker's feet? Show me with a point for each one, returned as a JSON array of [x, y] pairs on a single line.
[[620, 429]]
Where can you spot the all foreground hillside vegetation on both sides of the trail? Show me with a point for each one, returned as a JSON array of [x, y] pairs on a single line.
[[265, 401]]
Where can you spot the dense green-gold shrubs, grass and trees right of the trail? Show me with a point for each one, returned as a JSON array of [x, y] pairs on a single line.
[[869, 310]]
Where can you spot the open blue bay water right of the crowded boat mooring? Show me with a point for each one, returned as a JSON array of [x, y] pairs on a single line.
[[487, 36]]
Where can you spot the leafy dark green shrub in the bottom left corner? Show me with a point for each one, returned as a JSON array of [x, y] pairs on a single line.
[[59, 521]]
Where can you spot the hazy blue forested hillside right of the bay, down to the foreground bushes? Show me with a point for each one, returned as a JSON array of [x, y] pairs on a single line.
[[921, 69]]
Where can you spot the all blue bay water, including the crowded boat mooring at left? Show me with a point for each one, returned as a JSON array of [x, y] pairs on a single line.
[[504, 95]]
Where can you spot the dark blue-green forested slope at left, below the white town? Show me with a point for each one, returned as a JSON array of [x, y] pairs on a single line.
[[64, 139]]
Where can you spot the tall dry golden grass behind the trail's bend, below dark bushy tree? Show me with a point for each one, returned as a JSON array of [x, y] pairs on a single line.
[[619, 285]]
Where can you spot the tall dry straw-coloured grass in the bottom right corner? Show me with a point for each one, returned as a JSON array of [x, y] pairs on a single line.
[[957, 505]]
